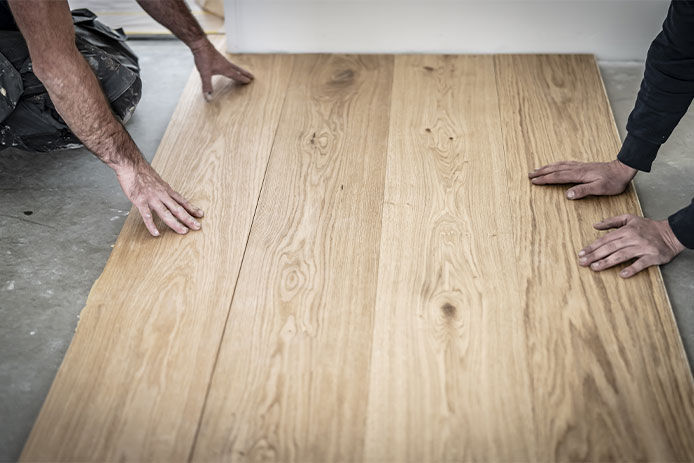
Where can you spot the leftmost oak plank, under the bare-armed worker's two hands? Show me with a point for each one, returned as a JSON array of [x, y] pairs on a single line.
[[133, 381]]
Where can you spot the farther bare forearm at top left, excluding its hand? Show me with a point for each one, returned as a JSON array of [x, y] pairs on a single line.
[[175, 16]]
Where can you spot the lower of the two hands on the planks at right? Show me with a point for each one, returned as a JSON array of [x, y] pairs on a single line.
[[648, 241]]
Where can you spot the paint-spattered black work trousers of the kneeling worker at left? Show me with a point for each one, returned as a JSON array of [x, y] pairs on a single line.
[[28, 119]]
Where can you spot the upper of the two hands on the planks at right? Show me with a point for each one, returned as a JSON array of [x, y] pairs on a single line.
[[593, 178]]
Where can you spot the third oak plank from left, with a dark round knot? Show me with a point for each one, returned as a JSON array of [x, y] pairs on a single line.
[[447, 382]]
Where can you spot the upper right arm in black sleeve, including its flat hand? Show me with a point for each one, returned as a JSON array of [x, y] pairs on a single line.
[[667, 89]]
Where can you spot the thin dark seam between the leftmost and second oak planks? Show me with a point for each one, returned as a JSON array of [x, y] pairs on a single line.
[[236, 281]]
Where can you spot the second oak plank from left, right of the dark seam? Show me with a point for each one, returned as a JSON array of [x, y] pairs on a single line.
[[291, 380]]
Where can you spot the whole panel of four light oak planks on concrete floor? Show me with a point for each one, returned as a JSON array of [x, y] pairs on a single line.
[[376, 280]]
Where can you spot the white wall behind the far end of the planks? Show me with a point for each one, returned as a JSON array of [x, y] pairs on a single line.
[[611, 29]]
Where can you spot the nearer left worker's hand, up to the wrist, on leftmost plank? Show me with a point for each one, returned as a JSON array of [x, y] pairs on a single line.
[[148, 192]]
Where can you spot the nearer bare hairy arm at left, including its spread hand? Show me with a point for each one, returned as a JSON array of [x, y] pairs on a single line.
[[47, 27]]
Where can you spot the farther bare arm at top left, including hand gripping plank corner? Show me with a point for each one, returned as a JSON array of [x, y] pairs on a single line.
[[175, 16]]
